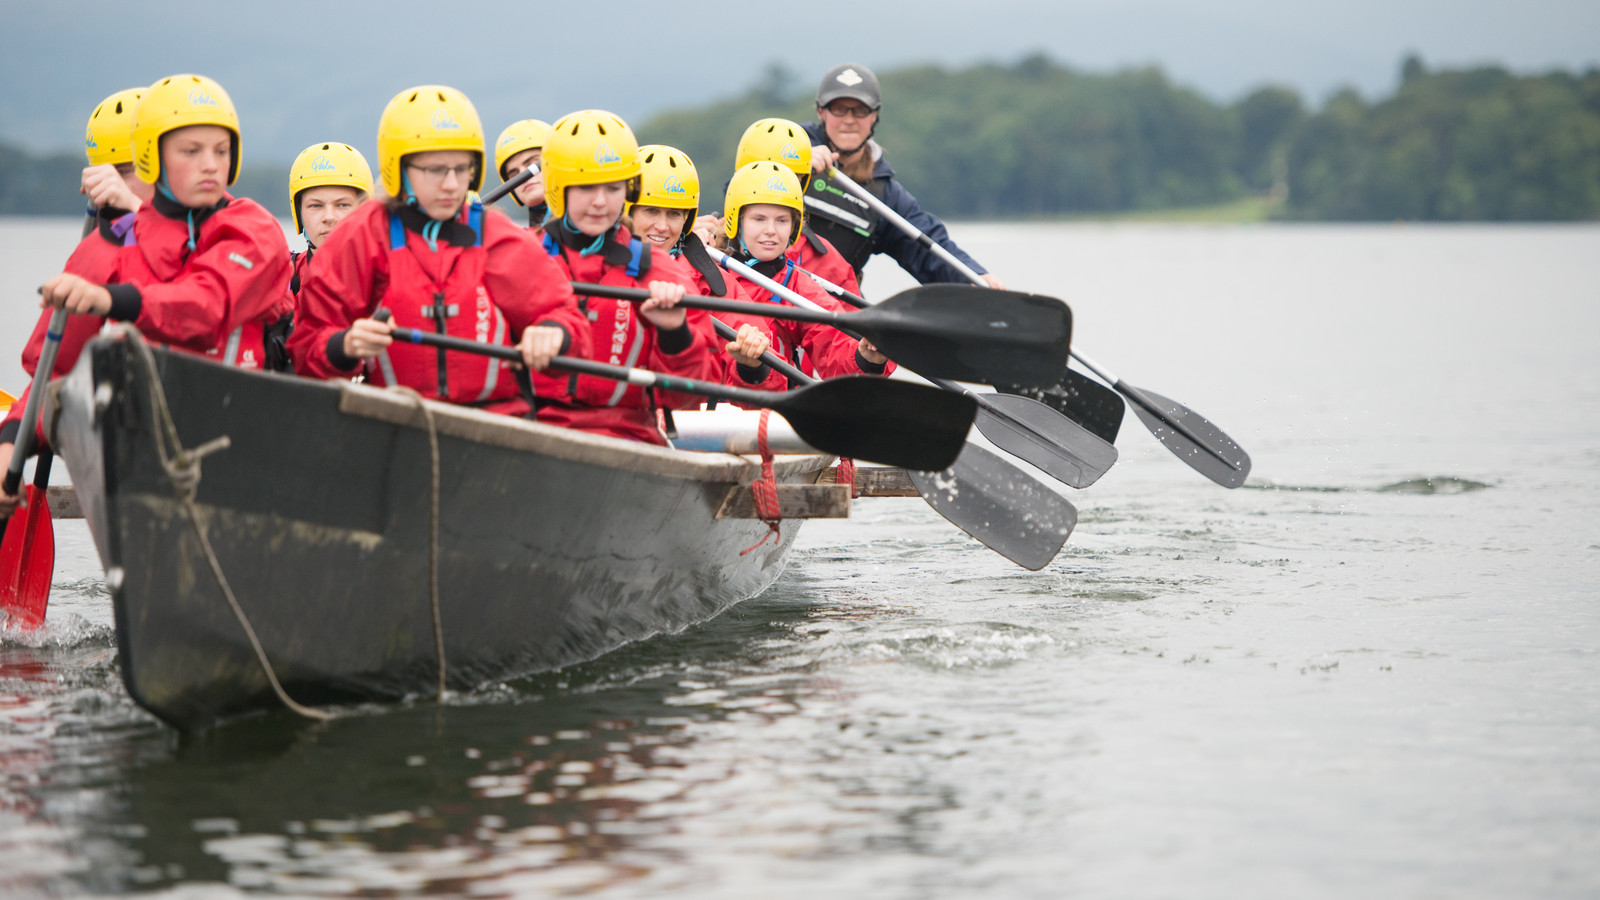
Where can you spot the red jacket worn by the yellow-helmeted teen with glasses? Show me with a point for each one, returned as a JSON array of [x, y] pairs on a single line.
[[484, 279]]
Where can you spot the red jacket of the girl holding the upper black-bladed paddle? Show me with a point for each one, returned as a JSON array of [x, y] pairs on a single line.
[[622, 337]]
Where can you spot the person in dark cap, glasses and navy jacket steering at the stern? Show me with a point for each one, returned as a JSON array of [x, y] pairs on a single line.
[[849, 106]]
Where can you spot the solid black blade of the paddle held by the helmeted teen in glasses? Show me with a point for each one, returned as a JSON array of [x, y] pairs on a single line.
[[881, 420]]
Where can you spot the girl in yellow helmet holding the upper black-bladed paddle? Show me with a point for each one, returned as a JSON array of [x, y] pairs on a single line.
[[591, 169]]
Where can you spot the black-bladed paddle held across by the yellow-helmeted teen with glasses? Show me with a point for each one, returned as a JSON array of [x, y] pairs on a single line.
[[866, 419]]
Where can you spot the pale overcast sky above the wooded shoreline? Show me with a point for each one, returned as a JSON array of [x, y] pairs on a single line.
[[303, 73]]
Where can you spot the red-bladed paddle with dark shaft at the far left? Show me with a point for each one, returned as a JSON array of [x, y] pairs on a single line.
[[28, 553]]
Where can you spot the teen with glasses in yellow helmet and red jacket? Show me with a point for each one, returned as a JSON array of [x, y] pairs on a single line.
[[434, 259]]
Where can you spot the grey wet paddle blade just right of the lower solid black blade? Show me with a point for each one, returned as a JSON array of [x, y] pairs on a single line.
[[1039, 435]]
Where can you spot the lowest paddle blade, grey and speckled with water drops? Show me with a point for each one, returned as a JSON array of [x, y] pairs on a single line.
[[1001, 505]]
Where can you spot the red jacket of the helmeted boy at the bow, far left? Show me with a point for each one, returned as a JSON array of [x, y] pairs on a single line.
[[215, 297]]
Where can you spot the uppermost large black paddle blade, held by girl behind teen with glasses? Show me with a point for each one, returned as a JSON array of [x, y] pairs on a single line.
[[970, 334]]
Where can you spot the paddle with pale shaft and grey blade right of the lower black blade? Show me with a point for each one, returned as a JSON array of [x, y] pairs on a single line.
[[1025, 428]]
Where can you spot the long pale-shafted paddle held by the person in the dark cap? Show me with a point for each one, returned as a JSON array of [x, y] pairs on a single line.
[[1186, 433]]
